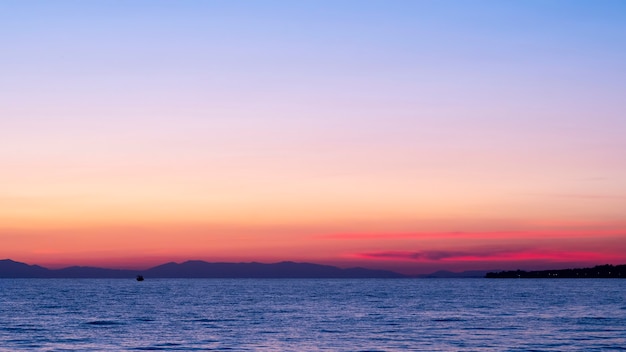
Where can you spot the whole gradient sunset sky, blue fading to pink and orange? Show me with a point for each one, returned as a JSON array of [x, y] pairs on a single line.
[[406, 135]]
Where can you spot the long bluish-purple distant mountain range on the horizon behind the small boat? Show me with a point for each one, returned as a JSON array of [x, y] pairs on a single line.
[[197, 269]]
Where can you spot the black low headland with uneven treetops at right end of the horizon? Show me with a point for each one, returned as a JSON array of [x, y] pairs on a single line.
[[600, 271]]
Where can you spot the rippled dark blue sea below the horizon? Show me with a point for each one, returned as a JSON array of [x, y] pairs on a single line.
[[313, 315]]
